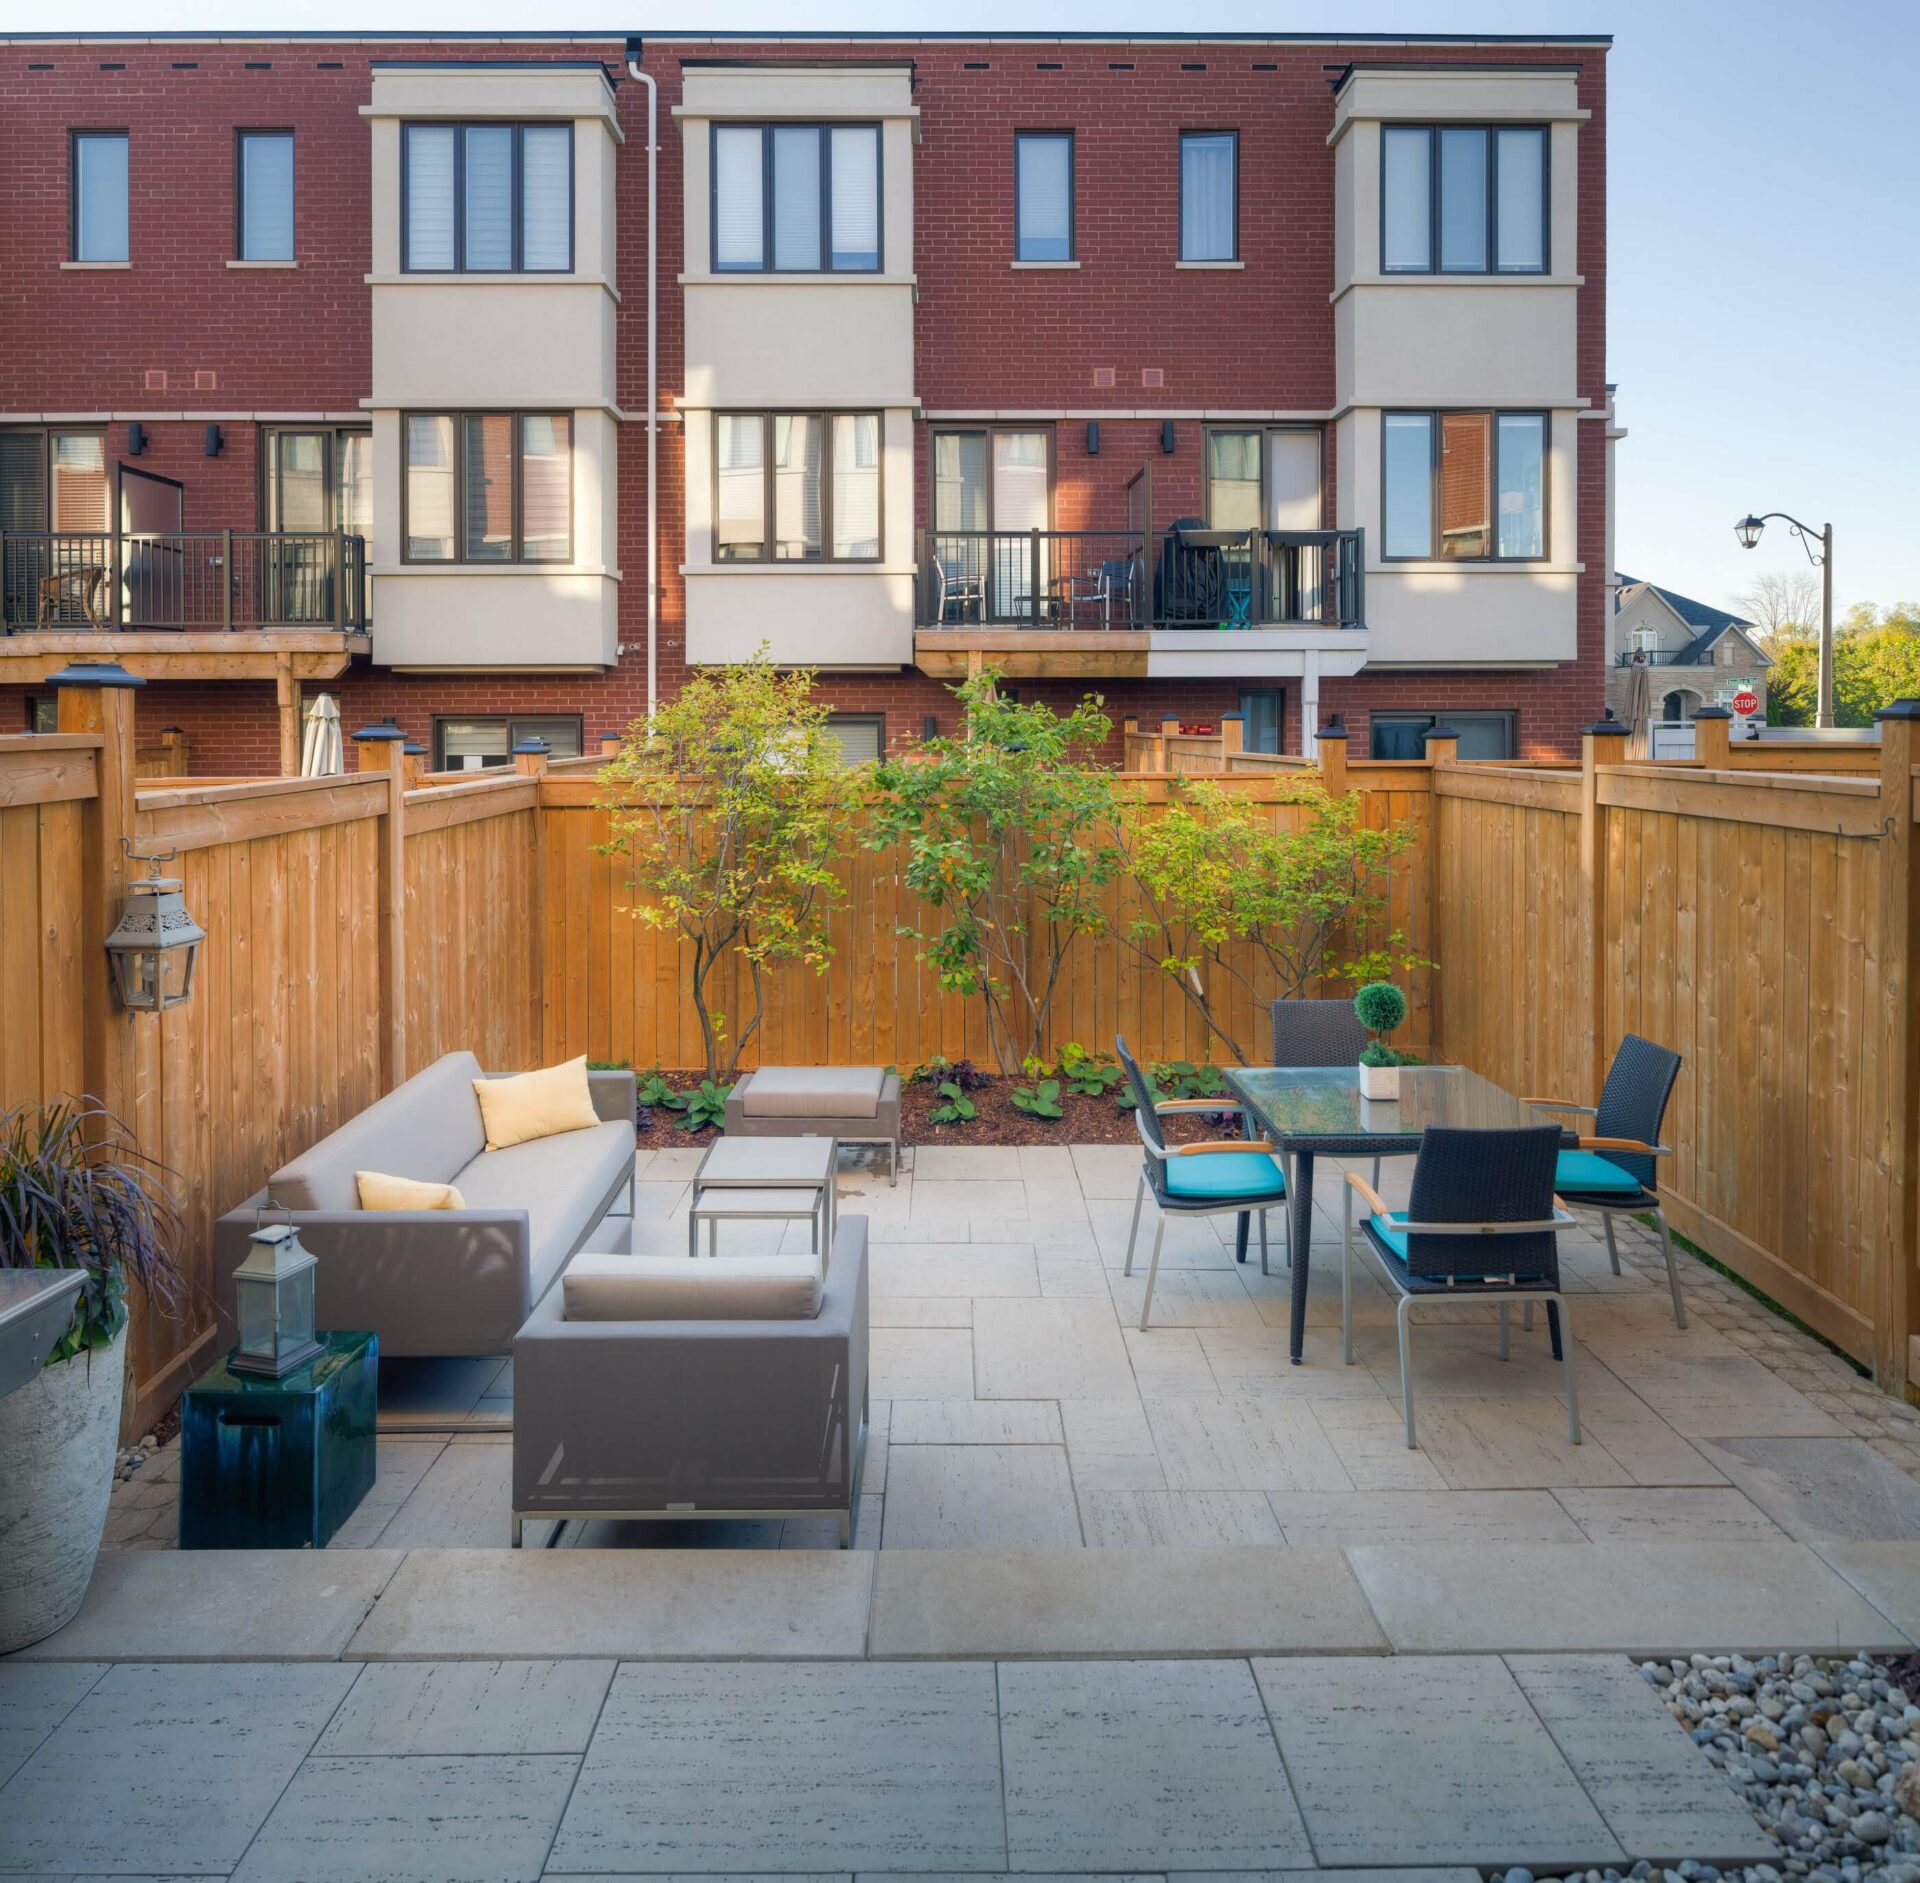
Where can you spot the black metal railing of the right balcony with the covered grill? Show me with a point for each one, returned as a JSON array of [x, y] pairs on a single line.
[[1184, 577]]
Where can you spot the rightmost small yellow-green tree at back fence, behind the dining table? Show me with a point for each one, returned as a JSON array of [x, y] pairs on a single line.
[[1234, 895]]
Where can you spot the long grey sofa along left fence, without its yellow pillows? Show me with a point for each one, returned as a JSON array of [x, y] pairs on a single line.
[[443, 1281]]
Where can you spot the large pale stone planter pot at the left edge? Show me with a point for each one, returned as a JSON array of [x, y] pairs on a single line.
[[59, 1437]]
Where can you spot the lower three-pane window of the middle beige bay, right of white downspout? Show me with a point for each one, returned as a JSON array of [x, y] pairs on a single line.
[[796, 489]]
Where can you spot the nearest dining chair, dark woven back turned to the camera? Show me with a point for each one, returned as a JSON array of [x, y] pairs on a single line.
[[1481, 1222]]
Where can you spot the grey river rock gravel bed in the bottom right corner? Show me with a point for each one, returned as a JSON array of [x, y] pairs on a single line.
[[1827, 1753]]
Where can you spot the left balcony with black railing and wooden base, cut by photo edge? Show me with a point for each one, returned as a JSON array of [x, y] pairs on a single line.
[[183, 604]]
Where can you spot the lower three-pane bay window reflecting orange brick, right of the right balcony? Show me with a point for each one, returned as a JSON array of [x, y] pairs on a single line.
[[1464, 487]]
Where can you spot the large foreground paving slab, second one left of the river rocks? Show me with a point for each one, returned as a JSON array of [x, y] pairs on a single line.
[[1464, 1769]]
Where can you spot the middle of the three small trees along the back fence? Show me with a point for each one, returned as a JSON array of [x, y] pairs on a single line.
[[1007, 832]]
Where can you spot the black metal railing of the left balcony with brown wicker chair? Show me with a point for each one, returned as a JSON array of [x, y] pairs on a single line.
[[208, 581]]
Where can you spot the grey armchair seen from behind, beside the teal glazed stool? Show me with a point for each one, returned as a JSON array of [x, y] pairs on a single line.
[[635, 1398]]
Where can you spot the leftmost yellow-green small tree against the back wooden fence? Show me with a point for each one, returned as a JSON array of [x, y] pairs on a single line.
[[729, 815]]
